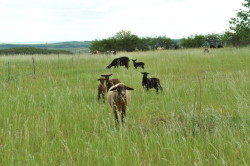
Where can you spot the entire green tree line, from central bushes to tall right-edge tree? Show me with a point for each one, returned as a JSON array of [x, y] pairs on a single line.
[[237, 34]]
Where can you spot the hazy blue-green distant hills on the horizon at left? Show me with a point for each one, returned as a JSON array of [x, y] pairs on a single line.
[[59, 45]]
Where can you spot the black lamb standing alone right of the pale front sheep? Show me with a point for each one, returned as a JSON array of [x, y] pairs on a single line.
[[148, 83]]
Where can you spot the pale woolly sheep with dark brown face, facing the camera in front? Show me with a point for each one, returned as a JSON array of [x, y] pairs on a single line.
[[119, 97]]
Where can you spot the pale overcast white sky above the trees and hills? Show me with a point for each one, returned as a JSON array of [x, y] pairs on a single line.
[[86, 20]]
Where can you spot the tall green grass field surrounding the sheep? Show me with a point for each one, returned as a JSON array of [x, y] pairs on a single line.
[[52, 116]]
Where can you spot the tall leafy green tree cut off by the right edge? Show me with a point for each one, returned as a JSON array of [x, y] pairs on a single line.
[[239, 26]]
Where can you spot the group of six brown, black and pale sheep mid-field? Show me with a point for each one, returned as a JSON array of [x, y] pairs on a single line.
[[119, 94]]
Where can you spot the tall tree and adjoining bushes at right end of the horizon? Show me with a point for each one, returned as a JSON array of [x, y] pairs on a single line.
[[238, 33]]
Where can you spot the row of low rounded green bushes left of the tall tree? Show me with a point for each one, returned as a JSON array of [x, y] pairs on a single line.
[[126, 41]]
